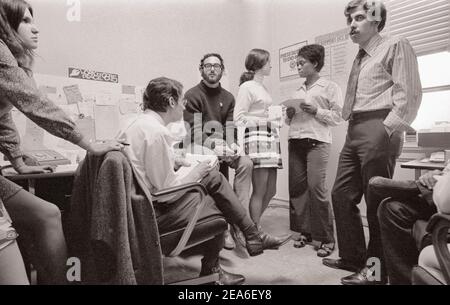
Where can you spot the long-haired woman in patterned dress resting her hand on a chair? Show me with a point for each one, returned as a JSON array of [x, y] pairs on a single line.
[[39, 220]]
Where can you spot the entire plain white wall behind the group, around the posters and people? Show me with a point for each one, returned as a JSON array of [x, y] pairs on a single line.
[[142, 39]]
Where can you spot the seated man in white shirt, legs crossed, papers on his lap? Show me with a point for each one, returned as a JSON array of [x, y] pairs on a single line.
[[150, 152]]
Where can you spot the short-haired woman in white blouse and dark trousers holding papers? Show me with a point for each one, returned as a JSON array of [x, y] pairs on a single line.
[[319, 108]]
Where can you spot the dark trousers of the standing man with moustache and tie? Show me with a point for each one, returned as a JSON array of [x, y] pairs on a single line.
[[368, 151]]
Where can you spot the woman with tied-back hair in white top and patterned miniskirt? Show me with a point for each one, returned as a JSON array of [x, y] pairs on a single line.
[[261, 136]]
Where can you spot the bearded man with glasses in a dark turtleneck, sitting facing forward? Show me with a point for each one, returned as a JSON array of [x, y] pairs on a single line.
[[209, 112]]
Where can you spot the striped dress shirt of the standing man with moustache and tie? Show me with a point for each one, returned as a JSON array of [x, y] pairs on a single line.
[[389, 79]]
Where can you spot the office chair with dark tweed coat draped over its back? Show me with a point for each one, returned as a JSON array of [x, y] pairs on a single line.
[[117, 231]]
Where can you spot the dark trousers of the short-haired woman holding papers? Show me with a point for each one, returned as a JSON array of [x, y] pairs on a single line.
[[310, 210]]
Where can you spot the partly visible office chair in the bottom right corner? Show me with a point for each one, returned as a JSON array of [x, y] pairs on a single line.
[[438, 226]]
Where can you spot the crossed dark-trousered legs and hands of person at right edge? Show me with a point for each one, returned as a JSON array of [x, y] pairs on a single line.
[[409, 201]]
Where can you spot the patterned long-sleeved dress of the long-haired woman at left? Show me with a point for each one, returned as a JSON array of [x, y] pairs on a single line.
[[18, 89]]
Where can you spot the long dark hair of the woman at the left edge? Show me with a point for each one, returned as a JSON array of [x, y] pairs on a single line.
[[11, 15]]
